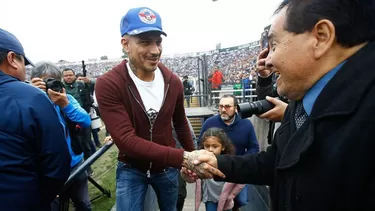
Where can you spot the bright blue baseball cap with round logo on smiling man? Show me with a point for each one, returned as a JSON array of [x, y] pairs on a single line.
[[140, 20]]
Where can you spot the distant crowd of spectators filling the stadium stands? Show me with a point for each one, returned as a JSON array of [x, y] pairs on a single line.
[[235, 63]]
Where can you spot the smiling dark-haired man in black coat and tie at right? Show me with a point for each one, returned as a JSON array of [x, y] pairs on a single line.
[[322, 157]]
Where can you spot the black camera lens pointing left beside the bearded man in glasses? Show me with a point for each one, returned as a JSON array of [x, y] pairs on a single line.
[[246, 110]]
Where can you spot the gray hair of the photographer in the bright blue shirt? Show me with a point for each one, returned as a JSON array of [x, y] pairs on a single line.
[[46, 69]]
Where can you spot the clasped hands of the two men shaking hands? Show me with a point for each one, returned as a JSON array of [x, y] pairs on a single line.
[[200, 164]]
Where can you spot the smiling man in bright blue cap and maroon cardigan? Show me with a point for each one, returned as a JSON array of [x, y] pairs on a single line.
[[138, 99]]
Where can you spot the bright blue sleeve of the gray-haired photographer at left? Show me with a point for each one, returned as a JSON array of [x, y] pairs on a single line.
[[76, 113]]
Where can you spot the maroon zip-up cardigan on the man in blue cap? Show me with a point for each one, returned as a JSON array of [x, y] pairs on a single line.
[[122, 111]]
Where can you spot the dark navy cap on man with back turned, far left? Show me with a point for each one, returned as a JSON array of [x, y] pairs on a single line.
[[9, 42]]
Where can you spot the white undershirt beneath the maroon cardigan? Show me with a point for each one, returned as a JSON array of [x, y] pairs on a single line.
[[152, 93]]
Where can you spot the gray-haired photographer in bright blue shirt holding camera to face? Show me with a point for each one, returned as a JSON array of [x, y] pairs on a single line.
[[47, 77]]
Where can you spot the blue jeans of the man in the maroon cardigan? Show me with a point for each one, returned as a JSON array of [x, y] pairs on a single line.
[[132, 184]]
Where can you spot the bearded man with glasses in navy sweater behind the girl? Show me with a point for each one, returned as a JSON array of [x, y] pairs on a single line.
[[240, 131]]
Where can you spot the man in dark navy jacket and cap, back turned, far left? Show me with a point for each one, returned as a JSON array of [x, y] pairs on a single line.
[[33, 152]]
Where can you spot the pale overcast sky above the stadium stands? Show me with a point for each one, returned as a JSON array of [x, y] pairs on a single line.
[[77, 30]]
